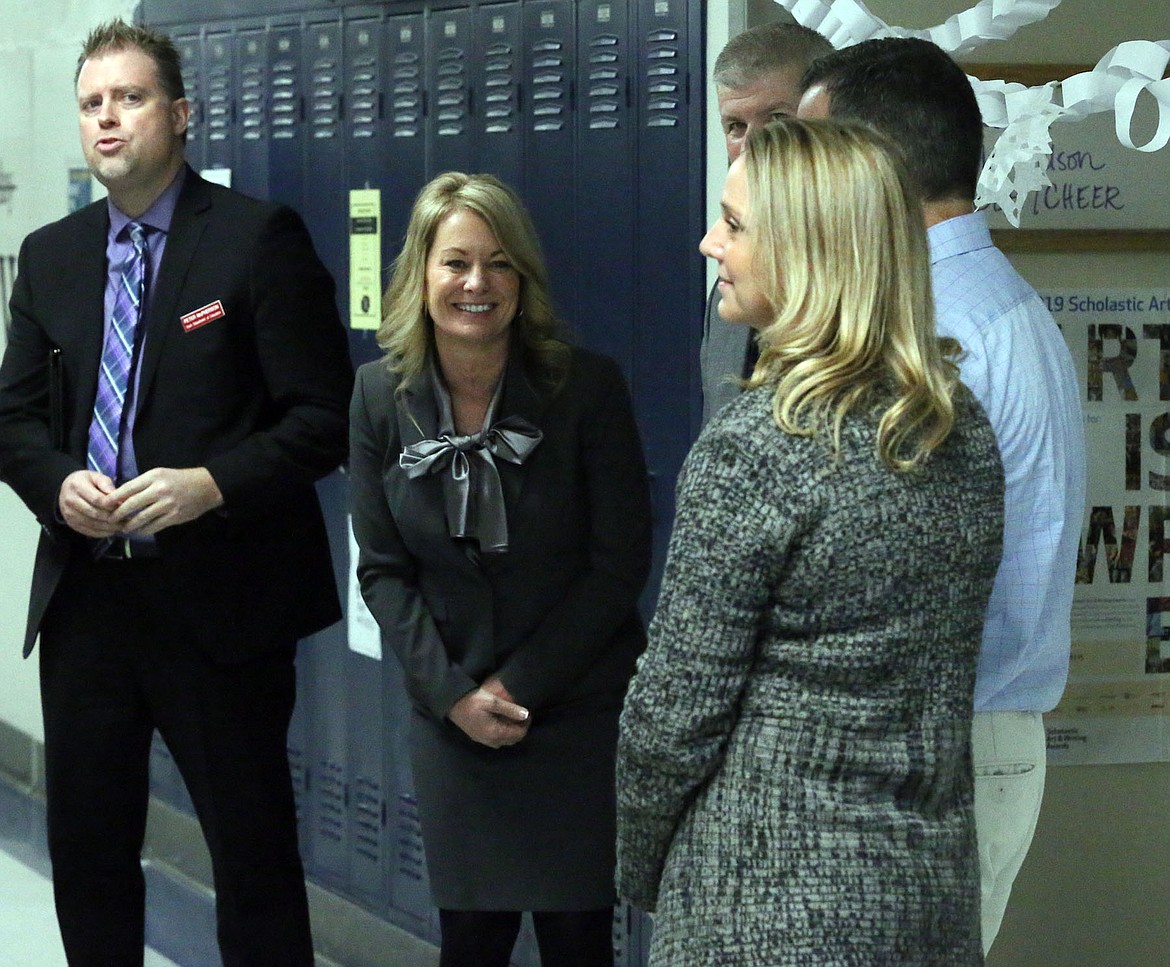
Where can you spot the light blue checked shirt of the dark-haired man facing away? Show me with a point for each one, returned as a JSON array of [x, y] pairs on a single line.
[[1017, 365]]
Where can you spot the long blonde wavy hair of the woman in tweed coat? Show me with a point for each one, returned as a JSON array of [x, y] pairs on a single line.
[[839, 249]]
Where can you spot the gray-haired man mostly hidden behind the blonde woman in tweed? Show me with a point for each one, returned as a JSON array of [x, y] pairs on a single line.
[[758, 79]]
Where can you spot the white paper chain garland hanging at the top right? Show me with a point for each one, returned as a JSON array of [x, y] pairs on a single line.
[[1017, 164]]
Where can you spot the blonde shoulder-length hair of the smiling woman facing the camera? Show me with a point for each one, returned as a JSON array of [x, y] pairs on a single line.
[[407, 333]]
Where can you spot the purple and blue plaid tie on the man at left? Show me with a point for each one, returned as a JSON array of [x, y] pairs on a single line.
[[118, 358]]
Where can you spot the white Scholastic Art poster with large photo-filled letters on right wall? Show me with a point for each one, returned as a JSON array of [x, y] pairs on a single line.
[[1114, 709]]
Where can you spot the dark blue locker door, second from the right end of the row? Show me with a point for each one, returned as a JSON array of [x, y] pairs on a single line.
[[605, 181]]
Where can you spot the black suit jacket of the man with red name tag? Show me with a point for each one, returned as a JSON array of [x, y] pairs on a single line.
[[258, 396]]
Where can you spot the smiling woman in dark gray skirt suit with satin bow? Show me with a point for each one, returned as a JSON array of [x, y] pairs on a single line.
[[503, 512]]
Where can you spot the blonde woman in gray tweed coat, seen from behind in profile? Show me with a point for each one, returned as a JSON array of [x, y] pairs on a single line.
[[794, 771]]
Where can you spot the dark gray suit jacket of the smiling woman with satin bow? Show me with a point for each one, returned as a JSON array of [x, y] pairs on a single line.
[[556, 615]]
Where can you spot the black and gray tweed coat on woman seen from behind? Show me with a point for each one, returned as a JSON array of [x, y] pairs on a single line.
[[794, 771]]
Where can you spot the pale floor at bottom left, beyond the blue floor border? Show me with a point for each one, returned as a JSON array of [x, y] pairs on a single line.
[[29, 927]]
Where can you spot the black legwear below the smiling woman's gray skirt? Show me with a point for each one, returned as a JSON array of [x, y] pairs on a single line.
[[486, 938]]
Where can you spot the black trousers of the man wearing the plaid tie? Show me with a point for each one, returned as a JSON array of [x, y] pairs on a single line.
[[115, 667]]
